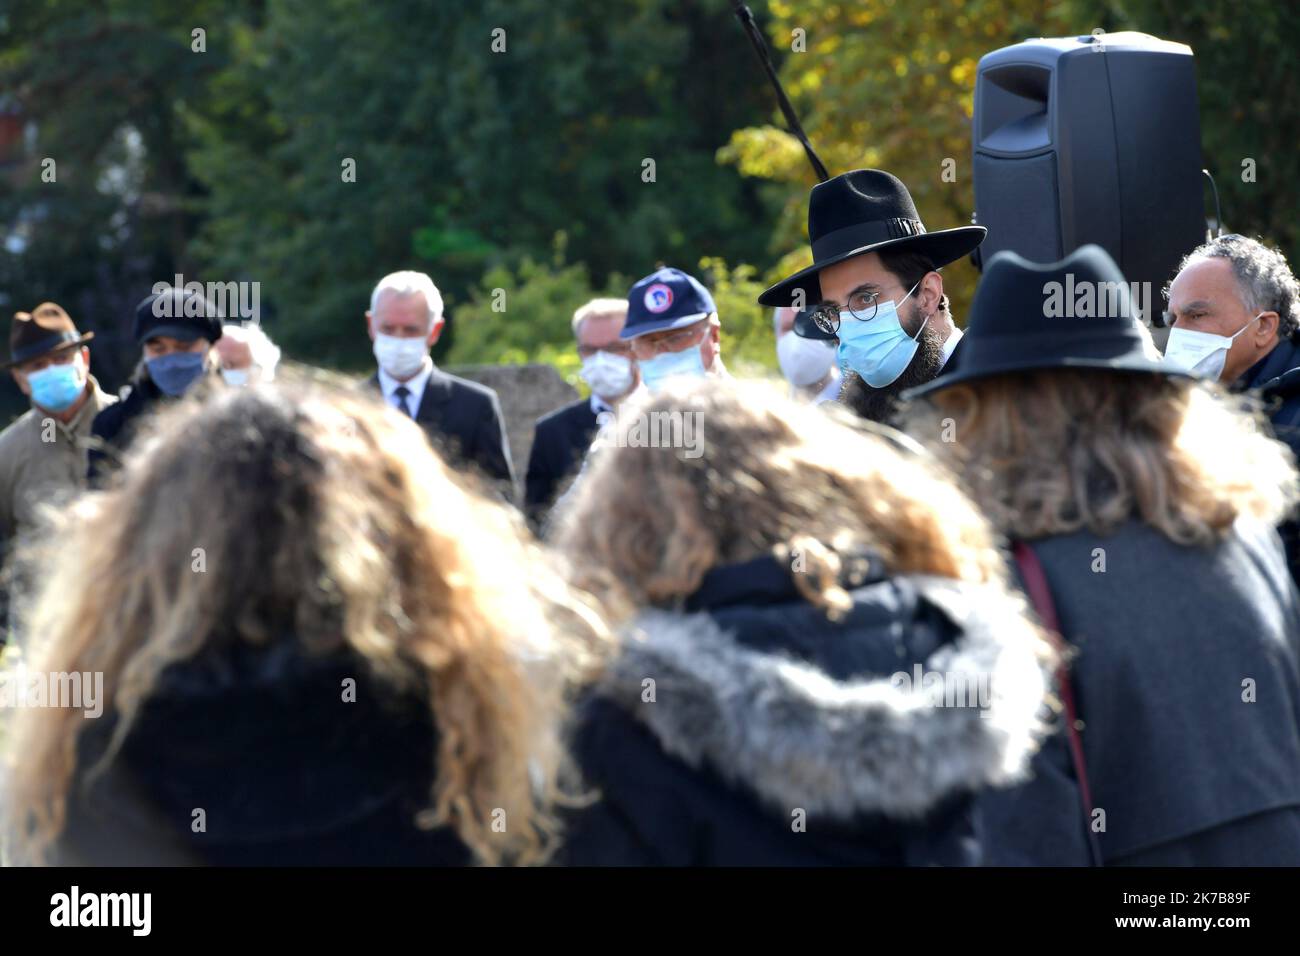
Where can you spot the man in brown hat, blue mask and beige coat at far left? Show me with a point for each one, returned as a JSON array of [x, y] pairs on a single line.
[[44, 452]]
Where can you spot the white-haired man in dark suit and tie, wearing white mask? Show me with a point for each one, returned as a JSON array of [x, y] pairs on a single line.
[[462, 418]]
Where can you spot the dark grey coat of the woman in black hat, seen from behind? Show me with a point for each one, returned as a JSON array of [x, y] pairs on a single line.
[[1185, 768]]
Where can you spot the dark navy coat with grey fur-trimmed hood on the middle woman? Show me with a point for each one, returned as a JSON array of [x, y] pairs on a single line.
[[768, 717]]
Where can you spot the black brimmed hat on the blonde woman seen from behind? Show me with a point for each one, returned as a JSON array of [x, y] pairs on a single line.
[[1073, 314]]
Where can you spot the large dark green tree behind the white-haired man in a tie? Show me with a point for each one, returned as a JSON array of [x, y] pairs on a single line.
[[471, 159]]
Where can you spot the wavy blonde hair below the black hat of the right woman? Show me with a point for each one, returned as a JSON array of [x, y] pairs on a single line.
[[1058, 452]]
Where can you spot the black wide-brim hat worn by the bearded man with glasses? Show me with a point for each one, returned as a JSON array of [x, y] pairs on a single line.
[[866, 211]]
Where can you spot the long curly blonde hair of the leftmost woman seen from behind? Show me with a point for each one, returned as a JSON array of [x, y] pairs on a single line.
[[326, 520]]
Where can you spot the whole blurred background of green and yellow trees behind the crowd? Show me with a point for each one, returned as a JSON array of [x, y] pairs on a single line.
[[522, 171]]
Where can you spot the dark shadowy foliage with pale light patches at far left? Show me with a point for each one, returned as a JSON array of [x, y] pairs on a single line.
[[106, 88]]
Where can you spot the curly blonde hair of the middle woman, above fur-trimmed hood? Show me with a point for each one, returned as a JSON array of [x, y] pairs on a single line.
[[714, 474]]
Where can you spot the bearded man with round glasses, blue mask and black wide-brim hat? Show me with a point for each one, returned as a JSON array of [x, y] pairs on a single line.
[[874, 287]]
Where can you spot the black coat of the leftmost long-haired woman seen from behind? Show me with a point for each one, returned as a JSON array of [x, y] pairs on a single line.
[[284, 769]]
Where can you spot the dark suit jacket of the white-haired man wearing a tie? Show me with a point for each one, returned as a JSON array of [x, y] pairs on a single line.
[[465, 422]]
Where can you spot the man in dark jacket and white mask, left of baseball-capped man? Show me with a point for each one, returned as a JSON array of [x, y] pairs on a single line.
[[562, 439]]
